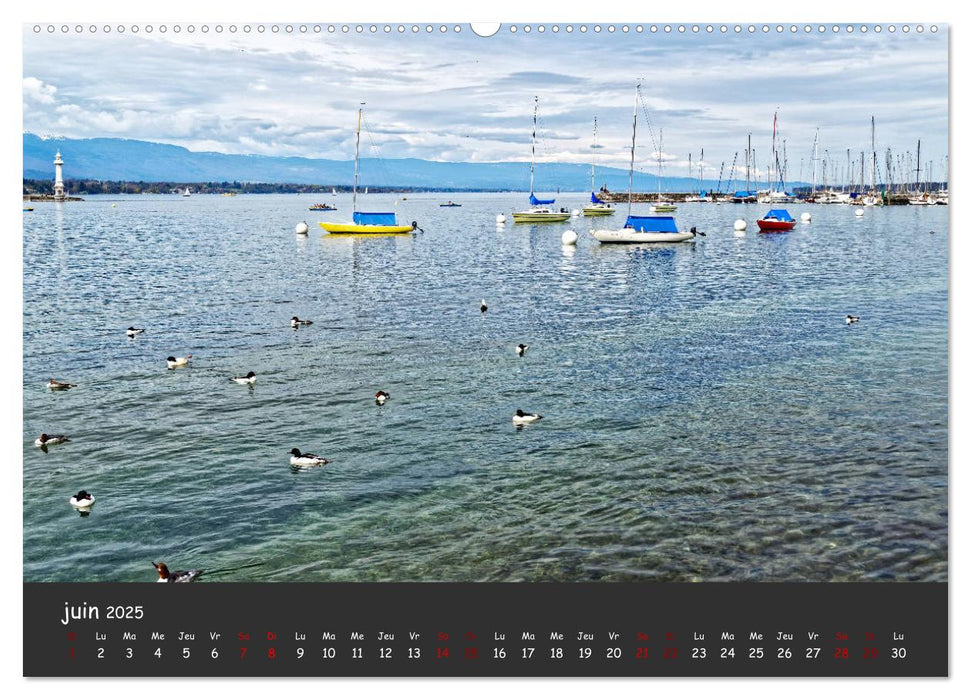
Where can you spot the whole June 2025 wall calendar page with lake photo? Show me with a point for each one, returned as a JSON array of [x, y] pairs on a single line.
[[545, 349]]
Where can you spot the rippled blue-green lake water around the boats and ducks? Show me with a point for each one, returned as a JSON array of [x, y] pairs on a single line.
[[708, 415]]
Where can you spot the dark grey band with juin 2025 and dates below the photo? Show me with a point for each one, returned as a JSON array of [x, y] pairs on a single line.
[[462, 629]]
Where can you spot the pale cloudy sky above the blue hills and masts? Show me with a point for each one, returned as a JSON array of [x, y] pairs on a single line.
[[459, 97]]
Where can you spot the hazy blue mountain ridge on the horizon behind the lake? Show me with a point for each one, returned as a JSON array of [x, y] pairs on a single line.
[[146, 161]]
